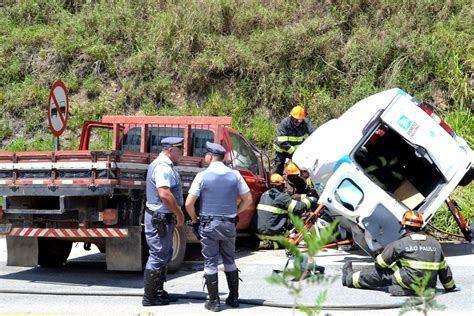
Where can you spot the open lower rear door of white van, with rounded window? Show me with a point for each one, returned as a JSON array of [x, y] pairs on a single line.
[[350, 194]]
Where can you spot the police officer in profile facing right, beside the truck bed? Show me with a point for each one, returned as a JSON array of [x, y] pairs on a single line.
[[164, 196]]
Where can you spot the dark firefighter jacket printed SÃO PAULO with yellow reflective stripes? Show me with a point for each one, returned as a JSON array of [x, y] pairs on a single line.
[[416, 254]]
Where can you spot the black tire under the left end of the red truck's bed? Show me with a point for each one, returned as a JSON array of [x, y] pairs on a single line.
[[53, 252]]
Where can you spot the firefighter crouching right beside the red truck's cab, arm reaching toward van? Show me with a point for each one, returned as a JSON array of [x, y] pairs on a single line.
[[271, 219]]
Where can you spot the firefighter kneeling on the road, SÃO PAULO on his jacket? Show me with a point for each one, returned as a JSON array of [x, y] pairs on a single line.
[[414, 254]]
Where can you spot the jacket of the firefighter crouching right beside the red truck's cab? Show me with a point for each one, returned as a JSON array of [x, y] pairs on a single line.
[[272, 217]]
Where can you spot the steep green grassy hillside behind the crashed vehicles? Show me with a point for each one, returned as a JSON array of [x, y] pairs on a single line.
[[246, 58]]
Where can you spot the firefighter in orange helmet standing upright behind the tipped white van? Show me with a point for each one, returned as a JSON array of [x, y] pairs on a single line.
[[292, 131]]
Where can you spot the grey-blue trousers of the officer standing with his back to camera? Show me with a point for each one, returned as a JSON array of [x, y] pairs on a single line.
[[218, 239]]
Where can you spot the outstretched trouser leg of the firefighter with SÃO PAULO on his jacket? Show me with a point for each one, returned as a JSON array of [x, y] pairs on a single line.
[[370, 278]]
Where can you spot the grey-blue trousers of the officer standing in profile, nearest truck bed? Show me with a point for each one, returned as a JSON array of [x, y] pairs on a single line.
[[161, 247]]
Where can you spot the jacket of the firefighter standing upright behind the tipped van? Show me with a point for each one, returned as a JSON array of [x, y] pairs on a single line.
[[290, 136]]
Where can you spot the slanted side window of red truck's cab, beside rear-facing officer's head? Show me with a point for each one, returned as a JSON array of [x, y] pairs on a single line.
[[243, 155]]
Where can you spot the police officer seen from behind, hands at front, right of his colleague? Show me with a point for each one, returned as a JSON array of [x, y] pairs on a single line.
[[218, 188]]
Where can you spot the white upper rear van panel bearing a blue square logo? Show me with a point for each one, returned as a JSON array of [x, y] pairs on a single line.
[[413, 124]]
